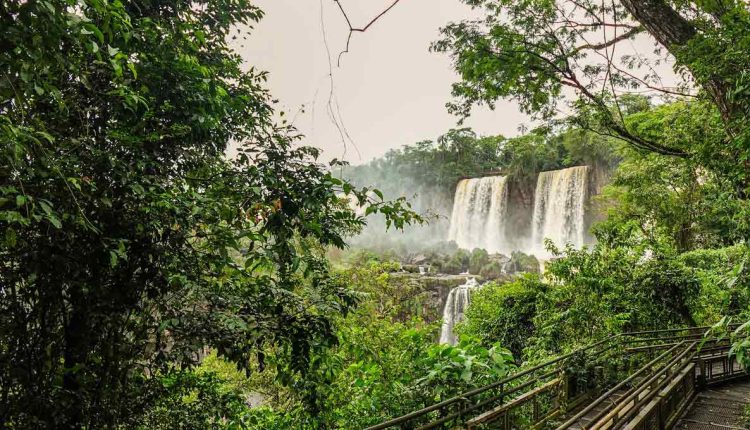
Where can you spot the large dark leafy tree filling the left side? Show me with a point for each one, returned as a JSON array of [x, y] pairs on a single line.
[[130, 242]]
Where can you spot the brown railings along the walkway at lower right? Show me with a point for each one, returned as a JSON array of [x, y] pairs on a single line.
[[663, 370]]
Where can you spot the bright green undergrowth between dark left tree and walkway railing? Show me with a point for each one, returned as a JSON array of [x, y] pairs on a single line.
[[382, 367]]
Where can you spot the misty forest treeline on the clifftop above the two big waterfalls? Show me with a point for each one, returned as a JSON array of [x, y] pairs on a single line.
[[430, 167]]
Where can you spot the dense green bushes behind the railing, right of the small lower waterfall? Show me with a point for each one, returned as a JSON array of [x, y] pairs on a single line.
[[613, 287]]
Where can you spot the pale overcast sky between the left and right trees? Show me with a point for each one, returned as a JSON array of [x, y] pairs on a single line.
[[389, 88]]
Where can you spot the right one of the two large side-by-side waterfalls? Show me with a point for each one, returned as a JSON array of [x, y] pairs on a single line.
[[559, 208]]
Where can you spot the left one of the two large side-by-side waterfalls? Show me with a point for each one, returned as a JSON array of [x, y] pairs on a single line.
[[479, 213]]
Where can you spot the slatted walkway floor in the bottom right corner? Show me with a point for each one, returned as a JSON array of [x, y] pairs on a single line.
[[719, 408]]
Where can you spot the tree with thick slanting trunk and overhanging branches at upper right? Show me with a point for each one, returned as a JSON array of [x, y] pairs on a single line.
[[533, 51]]
